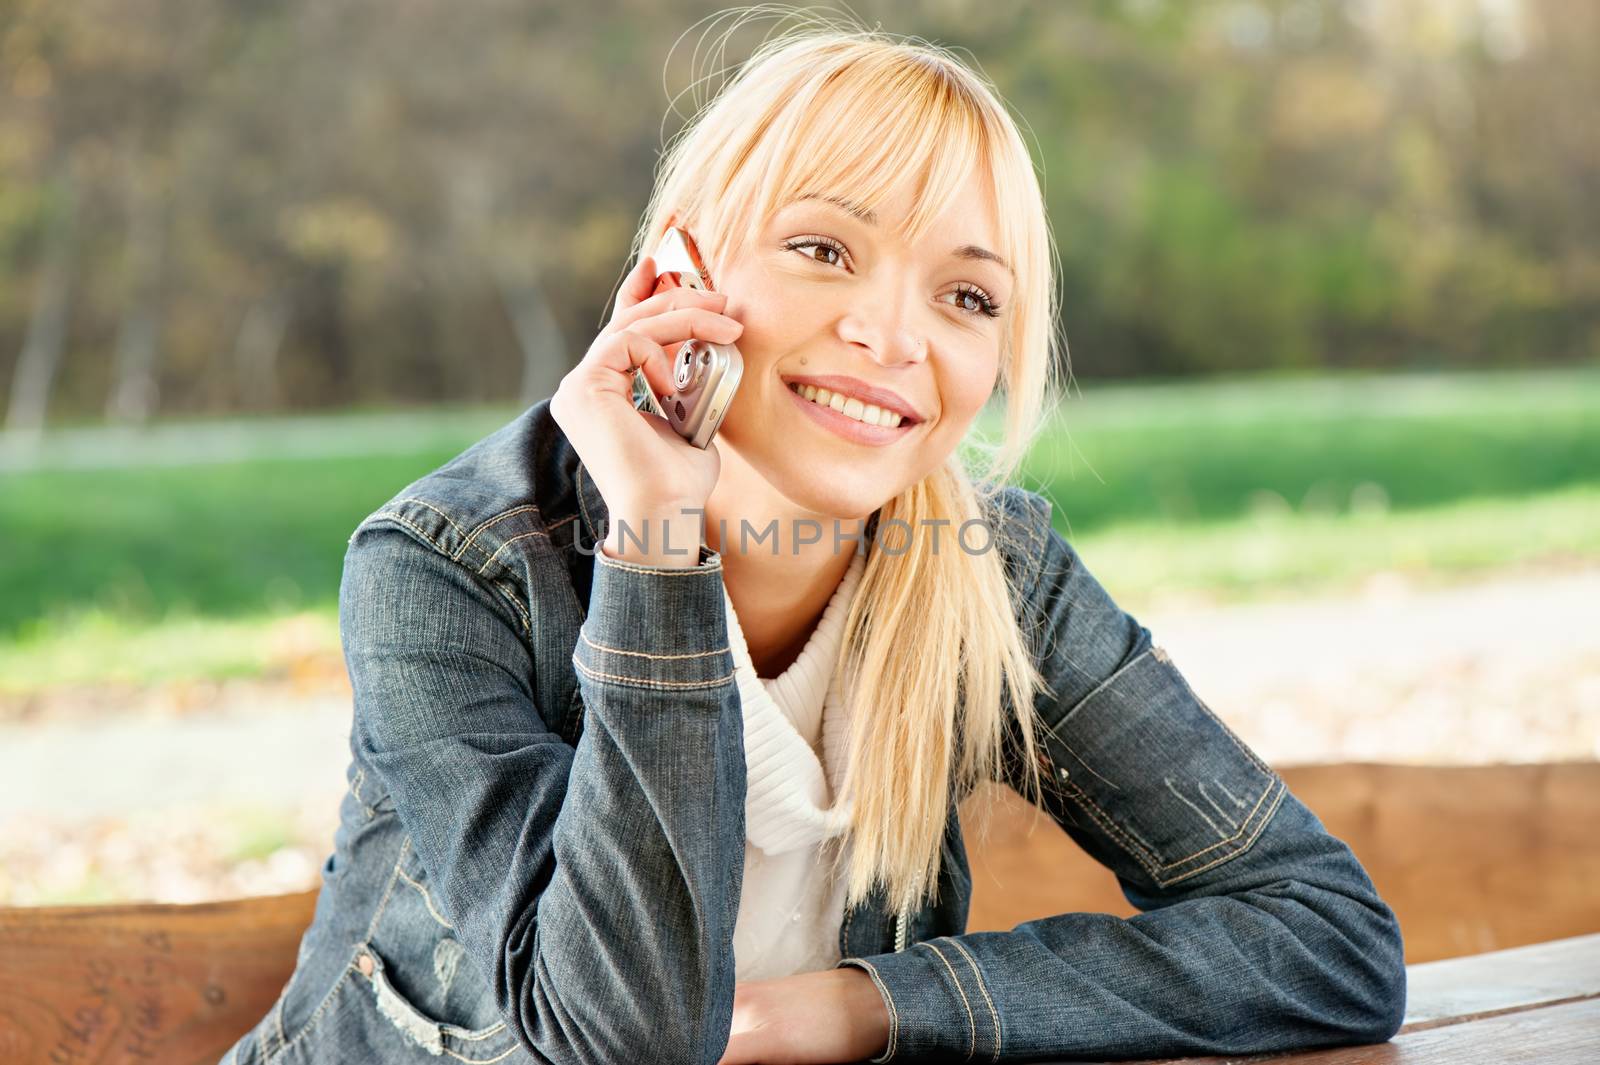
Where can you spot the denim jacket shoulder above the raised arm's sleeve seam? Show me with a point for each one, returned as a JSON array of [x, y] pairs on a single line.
[[514, 487]]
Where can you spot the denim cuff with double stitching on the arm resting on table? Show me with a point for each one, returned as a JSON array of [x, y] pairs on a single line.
[[938, 1002]]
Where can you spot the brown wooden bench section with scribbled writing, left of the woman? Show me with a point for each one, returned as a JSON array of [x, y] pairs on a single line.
[[134, 984]]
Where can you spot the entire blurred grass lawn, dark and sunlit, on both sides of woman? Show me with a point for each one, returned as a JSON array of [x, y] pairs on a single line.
[[180, 552]]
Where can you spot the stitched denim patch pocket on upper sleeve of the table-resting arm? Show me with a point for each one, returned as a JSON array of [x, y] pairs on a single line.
[[1159, 776]]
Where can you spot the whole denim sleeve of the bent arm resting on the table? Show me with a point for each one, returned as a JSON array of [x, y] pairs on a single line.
[[1258, 930]]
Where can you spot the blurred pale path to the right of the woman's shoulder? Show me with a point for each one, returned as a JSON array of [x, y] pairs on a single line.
[[1489, 672]]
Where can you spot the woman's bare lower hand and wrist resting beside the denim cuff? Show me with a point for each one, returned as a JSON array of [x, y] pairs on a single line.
[[810, 1018]]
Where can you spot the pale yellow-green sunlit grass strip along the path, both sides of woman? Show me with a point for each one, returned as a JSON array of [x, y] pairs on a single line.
[[1247, 559]]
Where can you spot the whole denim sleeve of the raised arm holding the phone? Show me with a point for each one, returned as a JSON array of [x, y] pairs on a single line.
[[590, 884]]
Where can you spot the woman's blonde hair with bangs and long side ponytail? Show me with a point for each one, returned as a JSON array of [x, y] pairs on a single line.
[[836, 108]]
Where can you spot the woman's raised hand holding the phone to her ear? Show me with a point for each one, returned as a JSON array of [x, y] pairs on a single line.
[[642, 468]]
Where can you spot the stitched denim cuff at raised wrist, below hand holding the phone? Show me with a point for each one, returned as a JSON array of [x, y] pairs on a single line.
[[655, 628]]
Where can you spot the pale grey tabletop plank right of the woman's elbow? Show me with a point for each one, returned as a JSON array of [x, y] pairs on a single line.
[[1502, 981]]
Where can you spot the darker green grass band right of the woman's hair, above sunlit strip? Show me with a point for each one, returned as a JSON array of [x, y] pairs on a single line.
[[1332, 445]]
